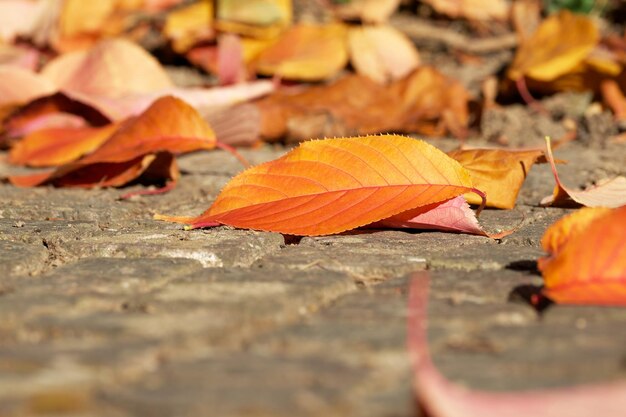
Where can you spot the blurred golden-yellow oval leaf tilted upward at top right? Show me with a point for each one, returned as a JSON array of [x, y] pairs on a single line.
[[559, 45]]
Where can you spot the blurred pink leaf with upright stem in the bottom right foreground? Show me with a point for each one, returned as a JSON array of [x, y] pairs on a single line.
[[442, 398]]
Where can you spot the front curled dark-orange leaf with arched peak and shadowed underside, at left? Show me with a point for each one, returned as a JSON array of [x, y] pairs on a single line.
[[144, 144]]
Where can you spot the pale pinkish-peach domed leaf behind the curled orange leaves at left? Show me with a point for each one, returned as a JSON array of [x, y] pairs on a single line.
[[111, 68]]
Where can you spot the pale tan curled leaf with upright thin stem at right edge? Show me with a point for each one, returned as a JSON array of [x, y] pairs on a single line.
[[607, 193]]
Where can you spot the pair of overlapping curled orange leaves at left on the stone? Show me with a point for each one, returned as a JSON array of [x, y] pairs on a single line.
[[118, 154]]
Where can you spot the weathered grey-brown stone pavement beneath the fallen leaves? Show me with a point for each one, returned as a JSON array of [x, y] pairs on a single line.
[[105, 312]]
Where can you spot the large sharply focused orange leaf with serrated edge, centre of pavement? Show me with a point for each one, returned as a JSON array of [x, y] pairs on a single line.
[[333, 185]]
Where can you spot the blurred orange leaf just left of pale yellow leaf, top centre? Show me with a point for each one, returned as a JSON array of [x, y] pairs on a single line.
[[306, 52]]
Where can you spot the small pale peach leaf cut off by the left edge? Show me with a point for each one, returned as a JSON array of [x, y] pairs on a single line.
[[19, 85]]
